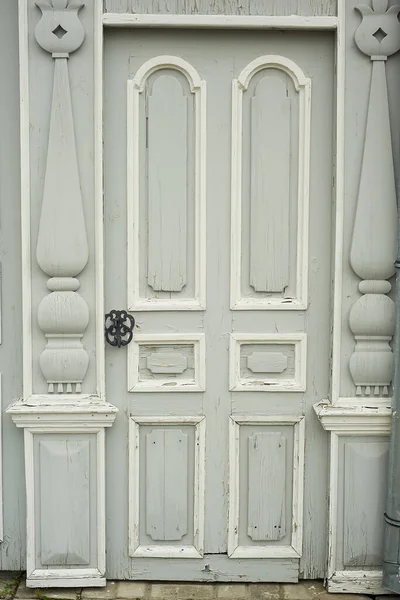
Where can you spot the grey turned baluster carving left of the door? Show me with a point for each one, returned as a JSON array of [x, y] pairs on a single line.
[[62, 248]]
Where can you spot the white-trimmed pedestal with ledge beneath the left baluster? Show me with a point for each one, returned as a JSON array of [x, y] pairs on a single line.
[[65, 491]]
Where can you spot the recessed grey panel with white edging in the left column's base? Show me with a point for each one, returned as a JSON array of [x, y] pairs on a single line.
[[65, 486]]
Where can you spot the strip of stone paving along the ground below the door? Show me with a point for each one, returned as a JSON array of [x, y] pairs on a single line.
[[12, 586]]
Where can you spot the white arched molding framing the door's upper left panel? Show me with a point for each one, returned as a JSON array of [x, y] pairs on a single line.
[[136, 88]]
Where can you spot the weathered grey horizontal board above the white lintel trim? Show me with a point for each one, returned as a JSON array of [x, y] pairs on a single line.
[[304, 8]]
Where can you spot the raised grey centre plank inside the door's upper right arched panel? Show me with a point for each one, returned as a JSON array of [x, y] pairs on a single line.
[[270, 186]]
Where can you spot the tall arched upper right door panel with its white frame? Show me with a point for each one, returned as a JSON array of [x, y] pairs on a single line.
[[270, 186]]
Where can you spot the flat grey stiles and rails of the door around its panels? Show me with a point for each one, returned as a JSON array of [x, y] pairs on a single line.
[[217, 64]]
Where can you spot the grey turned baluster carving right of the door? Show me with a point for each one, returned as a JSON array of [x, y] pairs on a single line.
[[373, 249]]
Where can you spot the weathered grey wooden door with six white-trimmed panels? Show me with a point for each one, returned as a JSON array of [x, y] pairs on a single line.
[[218, 187]]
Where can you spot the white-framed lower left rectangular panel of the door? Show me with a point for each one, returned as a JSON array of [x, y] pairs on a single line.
[[166, 486]]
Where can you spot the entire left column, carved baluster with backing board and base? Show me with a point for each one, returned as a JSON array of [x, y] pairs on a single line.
[[64, 428]]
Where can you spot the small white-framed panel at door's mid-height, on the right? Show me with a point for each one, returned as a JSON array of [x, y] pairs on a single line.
[[268, 363]]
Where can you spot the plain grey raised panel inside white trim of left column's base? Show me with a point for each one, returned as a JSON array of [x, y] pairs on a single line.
[[64, 502]]
